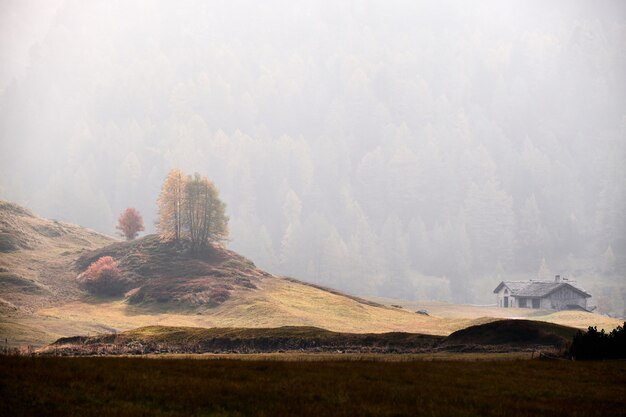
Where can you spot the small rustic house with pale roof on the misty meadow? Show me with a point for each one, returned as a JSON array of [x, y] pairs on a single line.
[[554, 295]]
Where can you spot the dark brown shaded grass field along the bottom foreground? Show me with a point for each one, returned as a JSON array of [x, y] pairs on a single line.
[[187, 387]]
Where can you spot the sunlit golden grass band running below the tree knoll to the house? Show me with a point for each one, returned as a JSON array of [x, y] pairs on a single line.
[[278, 303]]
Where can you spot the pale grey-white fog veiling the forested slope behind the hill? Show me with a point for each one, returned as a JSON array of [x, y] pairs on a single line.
[[422, 150]]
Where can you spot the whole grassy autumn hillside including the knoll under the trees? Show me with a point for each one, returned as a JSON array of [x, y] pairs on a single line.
[[41, 300]]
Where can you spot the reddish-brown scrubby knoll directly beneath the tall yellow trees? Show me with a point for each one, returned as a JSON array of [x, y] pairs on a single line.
[[169, 274]]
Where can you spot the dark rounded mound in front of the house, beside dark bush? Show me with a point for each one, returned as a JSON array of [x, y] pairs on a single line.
[[506, 334]]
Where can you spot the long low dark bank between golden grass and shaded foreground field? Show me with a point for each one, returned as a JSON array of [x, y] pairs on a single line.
[[159, 339]]
